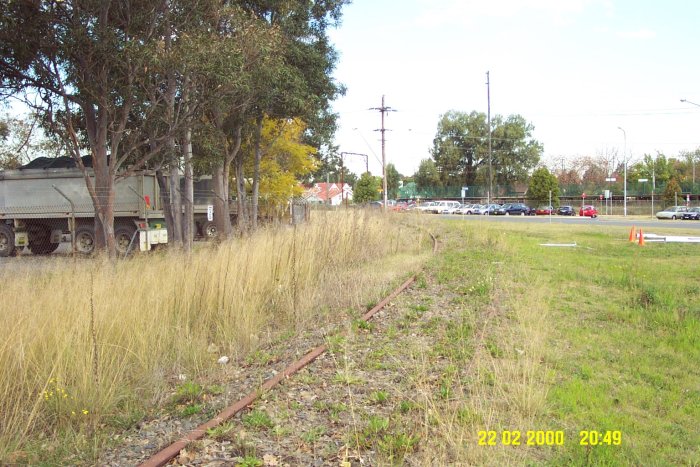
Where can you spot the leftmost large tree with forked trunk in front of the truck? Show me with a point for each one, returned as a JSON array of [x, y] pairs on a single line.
[[86, 66]]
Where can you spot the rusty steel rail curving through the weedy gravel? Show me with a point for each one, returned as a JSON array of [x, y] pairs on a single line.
[[169, 452]]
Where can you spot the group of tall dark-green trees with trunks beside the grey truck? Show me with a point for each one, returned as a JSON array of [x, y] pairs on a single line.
[[138, 83]]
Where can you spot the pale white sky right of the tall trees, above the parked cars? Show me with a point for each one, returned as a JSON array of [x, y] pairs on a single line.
[[577, 70]]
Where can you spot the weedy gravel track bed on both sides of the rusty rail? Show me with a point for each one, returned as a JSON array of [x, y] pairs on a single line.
[[349, 407]]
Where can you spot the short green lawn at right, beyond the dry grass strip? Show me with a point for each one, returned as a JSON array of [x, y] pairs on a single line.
[[624, 343]]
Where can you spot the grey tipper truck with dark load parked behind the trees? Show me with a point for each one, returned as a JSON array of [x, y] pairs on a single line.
[[42, 205]]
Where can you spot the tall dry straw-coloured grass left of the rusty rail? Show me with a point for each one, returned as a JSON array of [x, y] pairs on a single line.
[[88, 340]]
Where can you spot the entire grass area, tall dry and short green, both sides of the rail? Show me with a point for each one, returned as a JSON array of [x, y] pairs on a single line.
[[512, 353]]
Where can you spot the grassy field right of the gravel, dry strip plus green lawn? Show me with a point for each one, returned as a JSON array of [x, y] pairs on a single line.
[[599, 343]]
